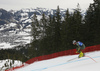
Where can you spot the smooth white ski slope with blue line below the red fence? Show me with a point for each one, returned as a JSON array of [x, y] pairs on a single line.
[[62, 63]]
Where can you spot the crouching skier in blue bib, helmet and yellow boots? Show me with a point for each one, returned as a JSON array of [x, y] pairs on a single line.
[[80, 48]]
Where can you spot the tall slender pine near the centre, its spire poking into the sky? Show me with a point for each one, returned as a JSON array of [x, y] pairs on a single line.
[[57, 29]]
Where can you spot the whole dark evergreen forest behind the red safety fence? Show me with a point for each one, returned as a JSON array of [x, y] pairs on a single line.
[[53, 34]]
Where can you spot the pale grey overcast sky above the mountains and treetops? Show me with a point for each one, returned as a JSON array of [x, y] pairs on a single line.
[[52, 4]]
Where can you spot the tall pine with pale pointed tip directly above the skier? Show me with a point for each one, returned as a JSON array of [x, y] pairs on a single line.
[[77, 22]]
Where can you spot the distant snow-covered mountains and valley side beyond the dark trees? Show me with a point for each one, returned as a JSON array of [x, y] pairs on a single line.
[[15, 25]]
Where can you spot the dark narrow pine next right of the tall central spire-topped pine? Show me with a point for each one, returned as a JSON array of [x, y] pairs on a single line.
[[64, 31]]
